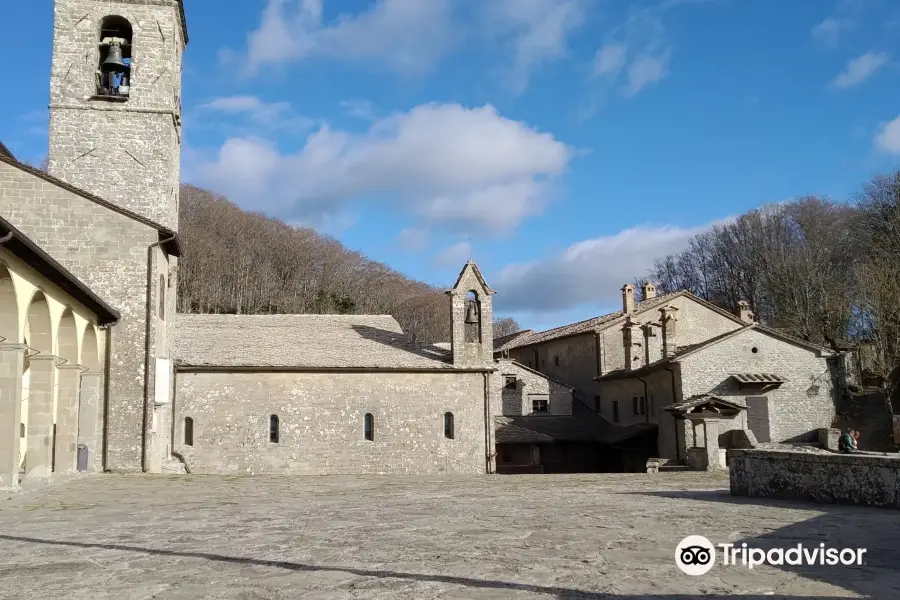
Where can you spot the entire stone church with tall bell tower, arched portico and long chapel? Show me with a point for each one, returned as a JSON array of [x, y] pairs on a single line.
[[98, 372]]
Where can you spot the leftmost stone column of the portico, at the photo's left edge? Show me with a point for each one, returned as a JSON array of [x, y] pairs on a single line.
[[12, 359]]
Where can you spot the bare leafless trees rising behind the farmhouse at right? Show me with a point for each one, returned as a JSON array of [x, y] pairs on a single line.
[[824, 271]]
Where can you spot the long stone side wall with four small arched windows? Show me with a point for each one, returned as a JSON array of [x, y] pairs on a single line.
[[321, 422]]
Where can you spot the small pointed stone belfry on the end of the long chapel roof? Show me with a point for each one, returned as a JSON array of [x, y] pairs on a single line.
[[471, 314]]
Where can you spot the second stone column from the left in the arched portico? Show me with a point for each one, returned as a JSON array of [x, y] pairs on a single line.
[[39, 445]]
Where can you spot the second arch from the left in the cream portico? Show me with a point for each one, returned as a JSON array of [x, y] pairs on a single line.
[[41, 378]]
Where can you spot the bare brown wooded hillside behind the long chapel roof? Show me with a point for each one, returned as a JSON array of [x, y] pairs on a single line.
[[238, 262]]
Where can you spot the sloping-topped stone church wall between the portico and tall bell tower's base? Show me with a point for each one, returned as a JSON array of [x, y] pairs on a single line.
[[108, 252]]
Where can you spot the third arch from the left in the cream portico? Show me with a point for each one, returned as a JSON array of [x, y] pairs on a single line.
[[68, 372]]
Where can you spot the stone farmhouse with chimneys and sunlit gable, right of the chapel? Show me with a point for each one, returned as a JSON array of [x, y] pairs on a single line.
[[696, 378]]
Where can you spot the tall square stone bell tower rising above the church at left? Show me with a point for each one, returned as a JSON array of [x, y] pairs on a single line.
[[115, 102]]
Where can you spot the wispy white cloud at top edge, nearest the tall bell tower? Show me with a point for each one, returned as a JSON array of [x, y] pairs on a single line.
[[407, 35]]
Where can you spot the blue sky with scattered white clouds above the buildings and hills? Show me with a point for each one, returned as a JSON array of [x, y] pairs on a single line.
[[564, 144]]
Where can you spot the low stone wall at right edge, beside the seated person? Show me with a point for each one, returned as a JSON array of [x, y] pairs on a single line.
[[864, 479]]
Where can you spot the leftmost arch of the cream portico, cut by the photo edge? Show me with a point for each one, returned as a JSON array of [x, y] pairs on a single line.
[[12, 355]]
